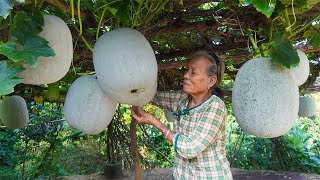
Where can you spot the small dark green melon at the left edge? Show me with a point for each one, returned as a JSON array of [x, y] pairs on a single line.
[[14, 112]]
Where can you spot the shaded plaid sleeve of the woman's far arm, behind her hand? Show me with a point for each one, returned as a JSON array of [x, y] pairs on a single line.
[[167, 99]]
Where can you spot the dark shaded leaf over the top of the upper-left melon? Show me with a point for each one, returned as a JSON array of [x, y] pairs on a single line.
[[31, 24]]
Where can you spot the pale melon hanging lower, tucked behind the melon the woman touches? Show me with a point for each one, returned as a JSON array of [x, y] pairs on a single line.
[[86, 107]]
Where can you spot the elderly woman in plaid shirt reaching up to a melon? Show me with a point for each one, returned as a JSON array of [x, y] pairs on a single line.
[[199, 138]]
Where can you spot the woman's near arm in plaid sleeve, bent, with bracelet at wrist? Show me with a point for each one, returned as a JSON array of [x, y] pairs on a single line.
[[204, 134]]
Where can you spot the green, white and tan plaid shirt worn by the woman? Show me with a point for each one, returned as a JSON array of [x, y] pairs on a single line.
[[200, 140]]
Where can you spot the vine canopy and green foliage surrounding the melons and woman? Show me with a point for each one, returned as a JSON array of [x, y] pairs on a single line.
[[235, 30]]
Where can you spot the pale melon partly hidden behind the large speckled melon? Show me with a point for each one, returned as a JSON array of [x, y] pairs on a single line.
[[301, 72]]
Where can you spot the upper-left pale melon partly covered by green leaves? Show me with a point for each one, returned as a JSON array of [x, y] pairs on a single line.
[[54, 68]]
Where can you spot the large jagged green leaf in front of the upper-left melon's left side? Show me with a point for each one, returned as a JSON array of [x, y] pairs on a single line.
[[28, 49]]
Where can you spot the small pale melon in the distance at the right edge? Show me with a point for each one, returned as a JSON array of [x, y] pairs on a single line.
[[307, 106]]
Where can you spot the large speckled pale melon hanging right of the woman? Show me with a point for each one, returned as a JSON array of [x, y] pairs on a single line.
[[265, 98]]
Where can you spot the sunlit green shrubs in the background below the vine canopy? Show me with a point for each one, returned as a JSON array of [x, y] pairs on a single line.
[[50, 148]]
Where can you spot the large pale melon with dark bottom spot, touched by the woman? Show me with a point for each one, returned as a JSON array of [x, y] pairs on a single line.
[[126, 66]]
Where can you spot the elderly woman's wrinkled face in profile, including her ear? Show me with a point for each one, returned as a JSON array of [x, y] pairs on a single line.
[[196, 80]]
